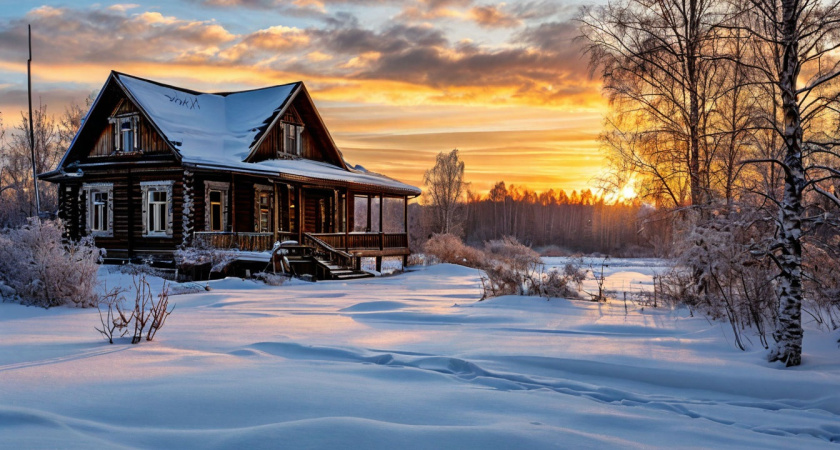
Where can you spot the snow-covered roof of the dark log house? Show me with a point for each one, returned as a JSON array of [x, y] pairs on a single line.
[[220, 130]]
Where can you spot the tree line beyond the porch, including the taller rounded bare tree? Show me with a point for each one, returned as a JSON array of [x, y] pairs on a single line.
[[553, 221]]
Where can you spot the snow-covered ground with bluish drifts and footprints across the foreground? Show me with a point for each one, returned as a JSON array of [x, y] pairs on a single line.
[[409, 361]]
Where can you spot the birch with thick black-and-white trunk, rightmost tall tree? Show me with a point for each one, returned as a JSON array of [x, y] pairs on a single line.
[[795, 41]]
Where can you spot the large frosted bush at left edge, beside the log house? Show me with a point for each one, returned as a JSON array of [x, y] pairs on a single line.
[[44, 271]]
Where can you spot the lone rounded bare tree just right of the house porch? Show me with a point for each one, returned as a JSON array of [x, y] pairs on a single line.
[[445, 186]]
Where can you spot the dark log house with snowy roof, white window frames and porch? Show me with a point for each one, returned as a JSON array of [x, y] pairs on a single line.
[[156, 167]]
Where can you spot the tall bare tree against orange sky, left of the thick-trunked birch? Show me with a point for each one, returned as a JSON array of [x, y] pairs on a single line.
[[653, 56]]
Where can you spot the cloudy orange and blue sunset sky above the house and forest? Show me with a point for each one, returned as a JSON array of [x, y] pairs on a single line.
[[396, 82]]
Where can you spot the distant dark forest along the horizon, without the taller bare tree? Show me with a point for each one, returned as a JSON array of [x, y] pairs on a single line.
[[551, 222]]
